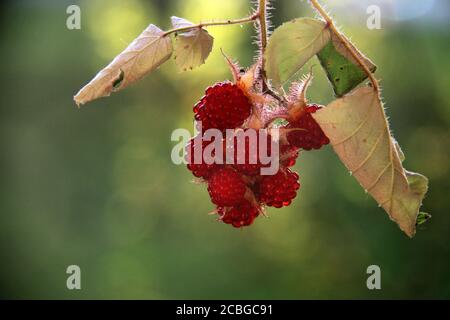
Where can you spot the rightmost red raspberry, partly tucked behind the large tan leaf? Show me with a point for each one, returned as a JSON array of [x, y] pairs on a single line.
[[311, 135]]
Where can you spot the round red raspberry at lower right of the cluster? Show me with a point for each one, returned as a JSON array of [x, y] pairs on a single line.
[[279, 190]]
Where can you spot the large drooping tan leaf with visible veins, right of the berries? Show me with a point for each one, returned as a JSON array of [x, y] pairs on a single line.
[[357, 127]]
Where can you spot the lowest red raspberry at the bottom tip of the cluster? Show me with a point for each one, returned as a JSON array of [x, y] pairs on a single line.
[[240, 215]]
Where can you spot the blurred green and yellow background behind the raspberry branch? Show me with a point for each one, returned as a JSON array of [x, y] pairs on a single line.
[[96, 187]]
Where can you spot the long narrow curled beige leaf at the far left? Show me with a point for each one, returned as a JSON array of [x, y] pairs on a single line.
[[146, 53]]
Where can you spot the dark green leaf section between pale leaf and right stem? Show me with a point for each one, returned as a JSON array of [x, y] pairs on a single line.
[[342, 70]]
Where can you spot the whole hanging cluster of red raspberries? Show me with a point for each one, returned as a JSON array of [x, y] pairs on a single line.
[[239, 190]]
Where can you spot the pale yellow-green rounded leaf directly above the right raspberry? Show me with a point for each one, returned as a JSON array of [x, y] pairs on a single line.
[[292, 45]]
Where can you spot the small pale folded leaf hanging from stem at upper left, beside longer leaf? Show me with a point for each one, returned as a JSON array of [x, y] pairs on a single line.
[[193, 47]]
